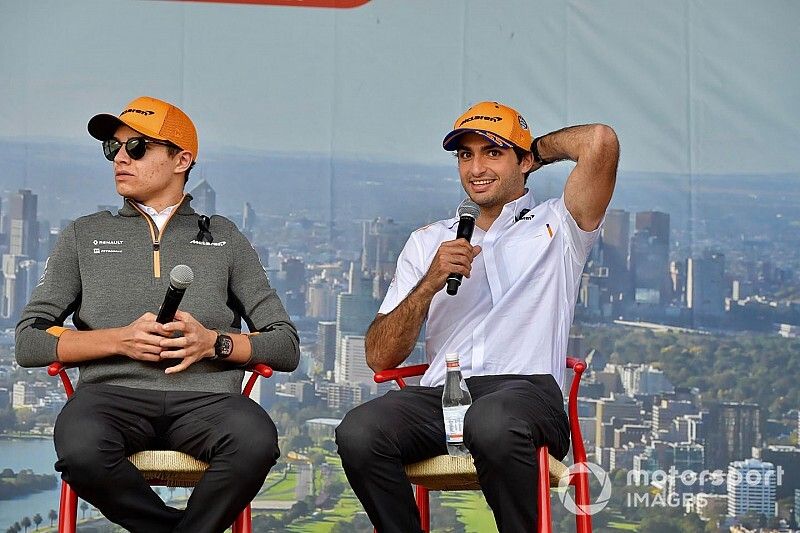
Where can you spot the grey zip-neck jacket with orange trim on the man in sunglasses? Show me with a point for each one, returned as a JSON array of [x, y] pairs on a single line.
[[107, 270]]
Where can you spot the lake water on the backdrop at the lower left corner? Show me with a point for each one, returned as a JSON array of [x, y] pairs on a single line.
[[39, 456]]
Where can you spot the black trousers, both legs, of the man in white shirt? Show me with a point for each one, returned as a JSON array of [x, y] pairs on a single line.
[[509, 418]]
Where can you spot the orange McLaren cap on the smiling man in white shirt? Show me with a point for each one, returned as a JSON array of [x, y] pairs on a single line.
[[500, 124]]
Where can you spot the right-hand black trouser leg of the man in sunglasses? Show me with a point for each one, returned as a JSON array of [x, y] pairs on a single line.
[[239, 441]]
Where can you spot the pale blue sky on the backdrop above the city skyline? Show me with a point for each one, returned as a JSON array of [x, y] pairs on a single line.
[[691, 86]]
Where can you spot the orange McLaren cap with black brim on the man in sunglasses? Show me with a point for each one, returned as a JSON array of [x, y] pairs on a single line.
[[151, 117]]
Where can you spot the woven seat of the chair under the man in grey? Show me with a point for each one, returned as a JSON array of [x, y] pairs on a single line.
[[169, 468]]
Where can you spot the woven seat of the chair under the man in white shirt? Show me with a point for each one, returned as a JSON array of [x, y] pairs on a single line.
[[445, 472]]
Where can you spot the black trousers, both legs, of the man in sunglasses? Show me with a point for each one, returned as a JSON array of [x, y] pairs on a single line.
[[101, 425]]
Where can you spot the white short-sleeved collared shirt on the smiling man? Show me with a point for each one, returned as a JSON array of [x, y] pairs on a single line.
[[513, 314]]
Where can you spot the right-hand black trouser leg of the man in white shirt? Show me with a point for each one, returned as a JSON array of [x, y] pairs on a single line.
[[508, 420]]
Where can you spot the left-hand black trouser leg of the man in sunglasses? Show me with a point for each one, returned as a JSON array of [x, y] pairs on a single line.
[[98, 428]]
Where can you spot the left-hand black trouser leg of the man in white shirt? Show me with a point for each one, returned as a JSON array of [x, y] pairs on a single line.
[[377, 438]]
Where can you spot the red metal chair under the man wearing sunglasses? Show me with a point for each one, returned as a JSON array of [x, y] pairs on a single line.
[[159, 467]]
